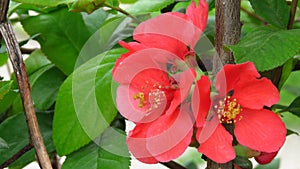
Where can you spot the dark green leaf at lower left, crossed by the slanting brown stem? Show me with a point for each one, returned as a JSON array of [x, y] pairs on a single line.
[[14, 131]]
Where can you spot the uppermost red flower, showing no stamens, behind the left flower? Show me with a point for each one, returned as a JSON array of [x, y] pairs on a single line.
[[179, 37]]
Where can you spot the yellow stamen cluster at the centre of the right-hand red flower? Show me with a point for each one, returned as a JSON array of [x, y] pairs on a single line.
[[228, 110]]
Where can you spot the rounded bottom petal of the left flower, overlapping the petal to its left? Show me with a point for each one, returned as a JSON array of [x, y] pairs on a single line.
[[170, 135]]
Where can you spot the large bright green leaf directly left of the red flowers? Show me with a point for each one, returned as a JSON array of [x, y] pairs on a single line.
[[84, 106]]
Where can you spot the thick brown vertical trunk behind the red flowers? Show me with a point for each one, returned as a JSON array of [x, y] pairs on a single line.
[[228, 30]]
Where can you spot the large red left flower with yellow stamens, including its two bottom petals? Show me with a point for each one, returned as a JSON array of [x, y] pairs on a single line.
[[150, 97]]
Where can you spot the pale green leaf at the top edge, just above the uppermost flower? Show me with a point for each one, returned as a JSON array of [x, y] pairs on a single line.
[[145, 6]]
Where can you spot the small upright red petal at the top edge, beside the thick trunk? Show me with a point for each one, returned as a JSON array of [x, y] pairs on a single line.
[[199, 14]]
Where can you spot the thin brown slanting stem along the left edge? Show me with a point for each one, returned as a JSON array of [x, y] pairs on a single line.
[[15, 57]]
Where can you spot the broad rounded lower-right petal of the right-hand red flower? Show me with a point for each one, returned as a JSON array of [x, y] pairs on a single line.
[[260, 130]]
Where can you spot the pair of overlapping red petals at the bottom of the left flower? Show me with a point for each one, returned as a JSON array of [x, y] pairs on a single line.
[[163, 139]]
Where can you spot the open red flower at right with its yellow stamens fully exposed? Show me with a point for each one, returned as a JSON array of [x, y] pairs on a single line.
[[241, 100]]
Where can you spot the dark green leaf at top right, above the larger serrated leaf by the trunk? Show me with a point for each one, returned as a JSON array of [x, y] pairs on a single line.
[[275, 12]]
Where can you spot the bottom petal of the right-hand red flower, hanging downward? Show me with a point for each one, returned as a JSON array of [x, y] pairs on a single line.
[[219, 146]]
